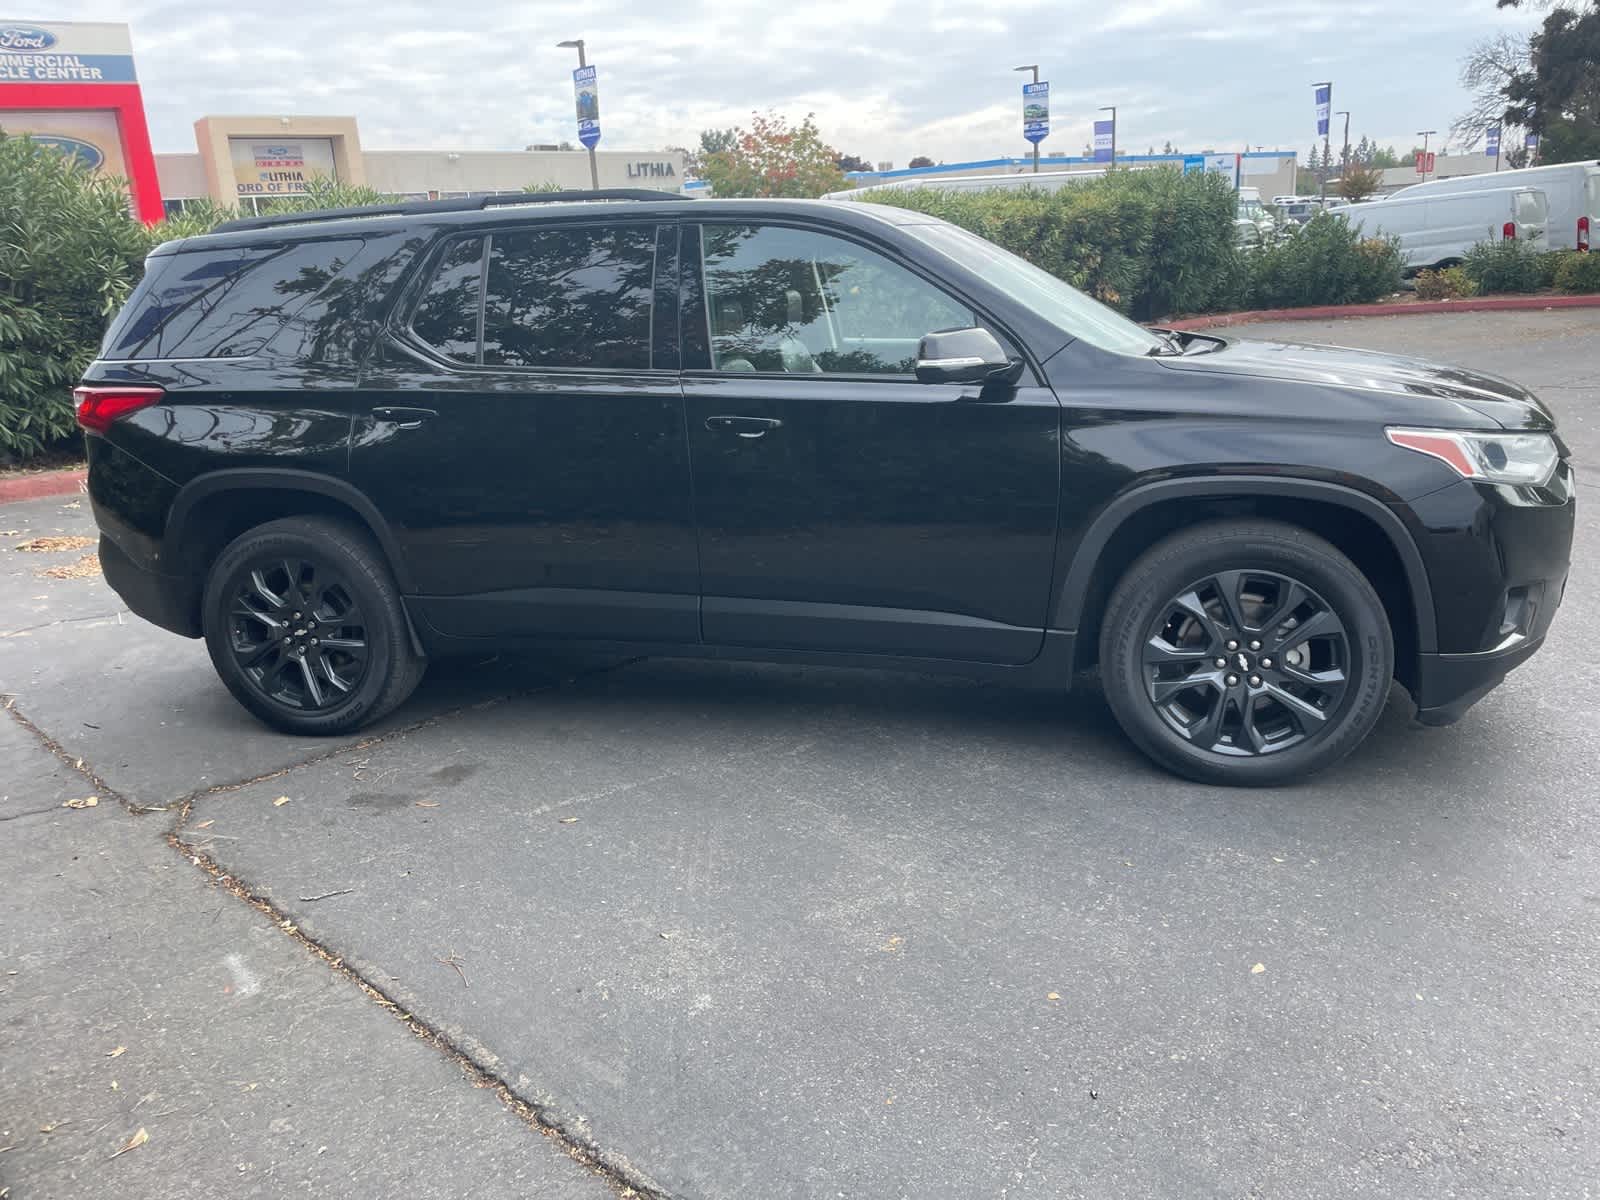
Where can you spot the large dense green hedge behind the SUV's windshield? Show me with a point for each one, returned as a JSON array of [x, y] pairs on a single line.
[[1146, 242]]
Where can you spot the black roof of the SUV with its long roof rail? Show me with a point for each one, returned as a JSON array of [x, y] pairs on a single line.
[[495, 210]]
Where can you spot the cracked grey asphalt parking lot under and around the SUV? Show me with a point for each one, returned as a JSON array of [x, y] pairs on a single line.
[[710, 930]]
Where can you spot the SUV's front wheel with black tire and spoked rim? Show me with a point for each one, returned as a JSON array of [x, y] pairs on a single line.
[[1306, 682]]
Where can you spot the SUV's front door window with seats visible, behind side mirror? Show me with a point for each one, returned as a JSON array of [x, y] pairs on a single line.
[[801, 302]]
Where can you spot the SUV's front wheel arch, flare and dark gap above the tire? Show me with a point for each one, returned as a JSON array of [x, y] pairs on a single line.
[[1361, 527]]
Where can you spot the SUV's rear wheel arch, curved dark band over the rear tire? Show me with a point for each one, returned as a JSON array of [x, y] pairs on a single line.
[[215, 508]]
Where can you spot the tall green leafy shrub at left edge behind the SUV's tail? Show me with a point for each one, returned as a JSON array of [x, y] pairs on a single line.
[[70, 255]]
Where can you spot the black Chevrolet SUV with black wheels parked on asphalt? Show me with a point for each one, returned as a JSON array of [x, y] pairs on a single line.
[[340, 444]]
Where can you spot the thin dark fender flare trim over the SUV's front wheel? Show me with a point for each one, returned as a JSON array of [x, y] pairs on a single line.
[[1068, 610]]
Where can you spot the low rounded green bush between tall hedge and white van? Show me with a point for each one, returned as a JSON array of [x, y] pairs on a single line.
[[1327, 263]]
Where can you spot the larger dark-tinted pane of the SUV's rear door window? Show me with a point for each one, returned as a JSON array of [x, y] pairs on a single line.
[[570, 297]]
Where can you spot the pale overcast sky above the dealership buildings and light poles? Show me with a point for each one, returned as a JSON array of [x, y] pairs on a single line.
[[887, 79]]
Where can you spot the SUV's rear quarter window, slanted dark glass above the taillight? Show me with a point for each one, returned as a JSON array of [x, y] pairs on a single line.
[[210, 305]]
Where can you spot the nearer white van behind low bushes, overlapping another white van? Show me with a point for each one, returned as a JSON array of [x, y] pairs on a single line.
[[1438, 231]]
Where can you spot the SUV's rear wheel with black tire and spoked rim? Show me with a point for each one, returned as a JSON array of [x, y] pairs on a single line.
[[322, 666]]
